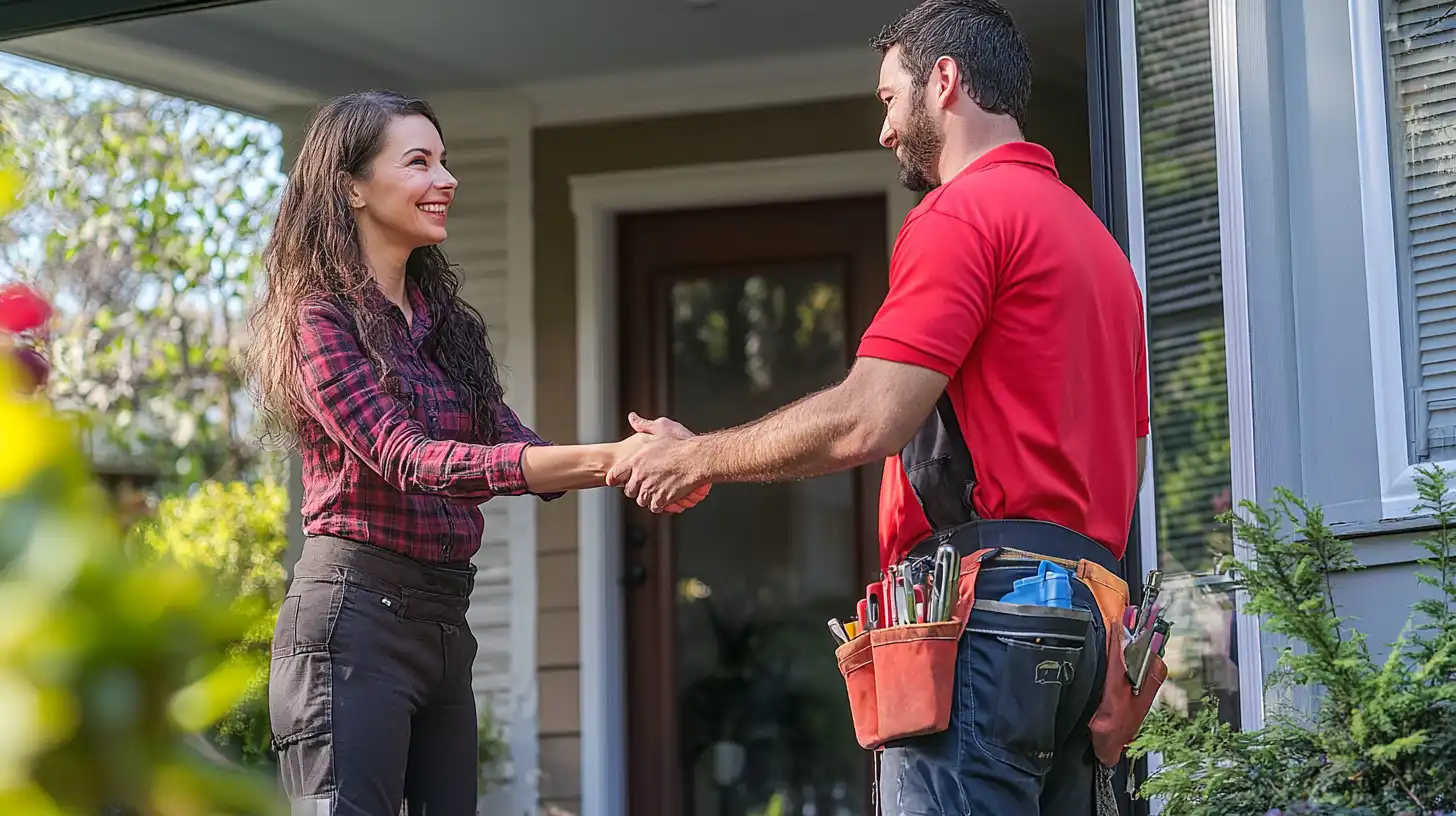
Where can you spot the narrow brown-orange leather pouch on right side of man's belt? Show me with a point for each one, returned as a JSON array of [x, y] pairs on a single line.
[[1120, 713]]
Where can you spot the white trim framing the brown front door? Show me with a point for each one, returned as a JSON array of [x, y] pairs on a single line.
[[596, 202]]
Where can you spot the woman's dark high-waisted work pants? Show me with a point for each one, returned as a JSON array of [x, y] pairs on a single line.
[[371, 694]]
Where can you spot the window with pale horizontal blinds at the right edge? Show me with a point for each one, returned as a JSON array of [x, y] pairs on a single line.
[[1420, 56]]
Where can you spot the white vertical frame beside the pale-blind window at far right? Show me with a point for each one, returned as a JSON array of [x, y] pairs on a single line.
[[1388, 369]]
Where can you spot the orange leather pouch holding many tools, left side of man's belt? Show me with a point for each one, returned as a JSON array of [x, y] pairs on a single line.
[[902, 680]]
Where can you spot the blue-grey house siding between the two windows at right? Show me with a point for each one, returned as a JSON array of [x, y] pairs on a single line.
[[1314, 415]]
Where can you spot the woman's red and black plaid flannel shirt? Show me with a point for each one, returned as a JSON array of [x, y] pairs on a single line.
[[404, 474]]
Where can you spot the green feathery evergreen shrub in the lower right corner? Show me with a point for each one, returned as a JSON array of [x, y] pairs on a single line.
[[1384, 737]]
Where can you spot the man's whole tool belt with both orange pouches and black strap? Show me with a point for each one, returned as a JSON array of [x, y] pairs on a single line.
[[902, 677]]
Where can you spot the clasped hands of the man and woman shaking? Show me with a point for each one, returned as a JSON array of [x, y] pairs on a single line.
[[659, 467]]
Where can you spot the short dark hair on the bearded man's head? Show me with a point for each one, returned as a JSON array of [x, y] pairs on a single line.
[[984, 42]]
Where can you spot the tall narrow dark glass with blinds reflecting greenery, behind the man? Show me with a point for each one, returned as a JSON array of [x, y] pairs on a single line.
[[1190, 396]]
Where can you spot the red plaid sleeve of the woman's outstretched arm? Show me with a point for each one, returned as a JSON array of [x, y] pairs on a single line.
[[356, 410]]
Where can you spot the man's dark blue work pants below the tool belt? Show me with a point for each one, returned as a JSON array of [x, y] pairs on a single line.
[[1027, 684]]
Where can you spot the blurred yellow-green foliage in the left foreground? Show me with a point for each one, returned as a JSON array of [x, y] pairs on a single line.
[[110, 667]]
